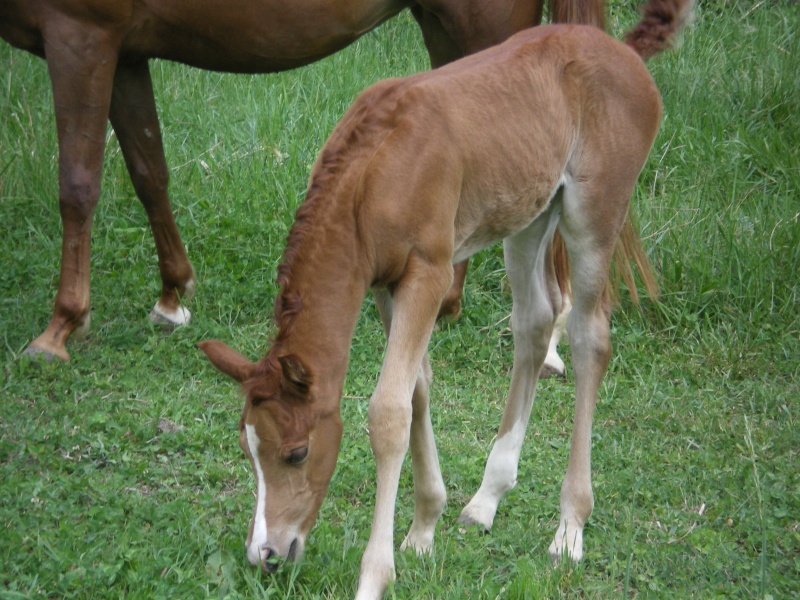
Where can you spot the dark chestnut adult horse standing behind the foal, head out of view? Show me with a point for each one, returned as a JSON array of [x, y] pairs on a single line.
[[97, 55]]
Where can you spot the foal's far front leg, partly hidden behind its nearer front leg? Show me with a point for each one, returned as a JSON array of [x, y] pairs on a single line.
[[429, 490]]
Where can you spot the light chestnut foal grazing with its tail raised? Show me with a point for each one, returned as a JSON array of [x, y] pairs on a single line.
[[549, 129]]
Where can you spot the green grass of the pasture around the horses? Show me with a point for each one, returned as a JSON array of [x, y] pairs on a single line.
[[695, 438]]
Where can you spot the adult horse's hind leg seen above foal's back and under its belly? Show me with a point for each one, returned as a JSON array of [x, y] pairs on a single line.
[[453, 29]]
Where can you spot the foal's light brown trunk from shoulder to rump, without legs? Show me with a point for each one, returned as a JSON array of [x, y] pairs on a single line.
[[480, 147]]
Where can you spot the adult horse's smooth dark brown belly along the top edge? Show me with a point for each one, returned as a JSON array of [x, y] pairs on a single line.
[[251, 35]]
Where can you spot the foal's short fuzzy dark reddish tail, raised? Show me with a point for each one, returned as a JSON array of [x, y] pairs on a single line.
[[662, 21]]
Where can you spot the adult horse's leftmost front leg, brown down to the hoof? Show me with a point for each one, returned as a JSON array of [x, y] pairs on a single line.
[[81, 60]]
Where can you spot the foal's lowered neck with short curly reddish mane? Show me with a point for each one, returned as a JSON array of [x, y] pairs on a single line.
[[325, 271]]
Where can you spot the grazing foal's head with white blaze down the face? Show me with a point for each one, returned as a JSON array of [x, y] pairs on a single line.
[[290, 443]]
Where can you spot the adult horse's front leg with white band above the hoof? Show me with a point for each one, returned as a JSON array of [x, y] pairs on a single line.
[[135, 120]]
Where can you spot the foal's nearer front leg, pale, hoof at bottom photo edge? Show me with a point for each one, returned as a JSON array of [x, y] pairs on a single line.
[[416, 302]]
